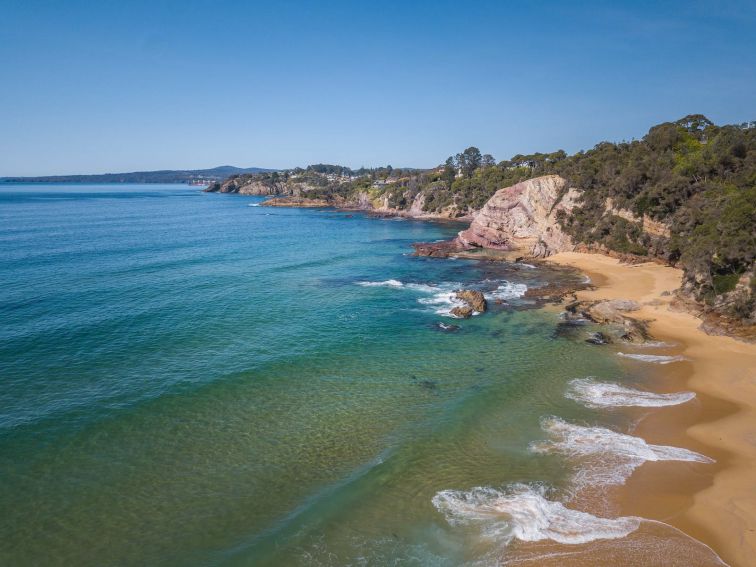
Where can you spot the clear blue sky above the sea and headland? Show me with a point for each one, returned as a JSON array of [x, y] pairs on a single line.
[[89, 87]]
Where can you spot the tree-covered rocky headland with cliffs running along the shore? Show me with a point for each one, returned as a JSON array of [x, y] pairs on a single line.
[[682, 195]]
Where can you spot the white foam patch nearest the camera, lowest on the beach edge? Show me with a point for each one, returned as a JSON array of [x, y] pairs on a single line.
[[522, 512]]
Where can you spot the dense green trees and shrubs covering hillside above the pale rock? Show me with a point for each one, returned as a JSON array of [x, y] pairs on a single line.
[[697, 178]]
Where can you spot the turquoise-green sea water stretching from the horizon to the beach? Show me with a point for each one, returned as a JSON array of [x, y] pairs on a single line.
[[190, 380]]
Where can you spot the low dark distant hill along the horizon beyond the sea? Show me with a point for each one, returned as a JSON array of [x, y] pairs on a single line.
[[162, 176]]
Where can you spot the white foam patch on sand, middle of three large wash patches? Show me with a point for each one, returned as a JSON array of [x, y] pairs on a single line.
[[610, 457]]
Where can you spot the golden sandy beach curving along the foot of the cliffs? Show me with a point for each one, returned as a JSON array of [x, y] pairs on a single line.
[[723, 512]]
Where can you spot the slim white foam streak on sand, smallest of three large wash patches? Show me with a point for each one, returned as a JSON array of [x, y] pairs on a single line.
[[607, 394]]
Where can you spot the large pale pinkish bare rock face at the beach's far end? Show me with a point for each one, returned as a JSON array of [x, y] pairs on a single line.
[[523, 217]]
